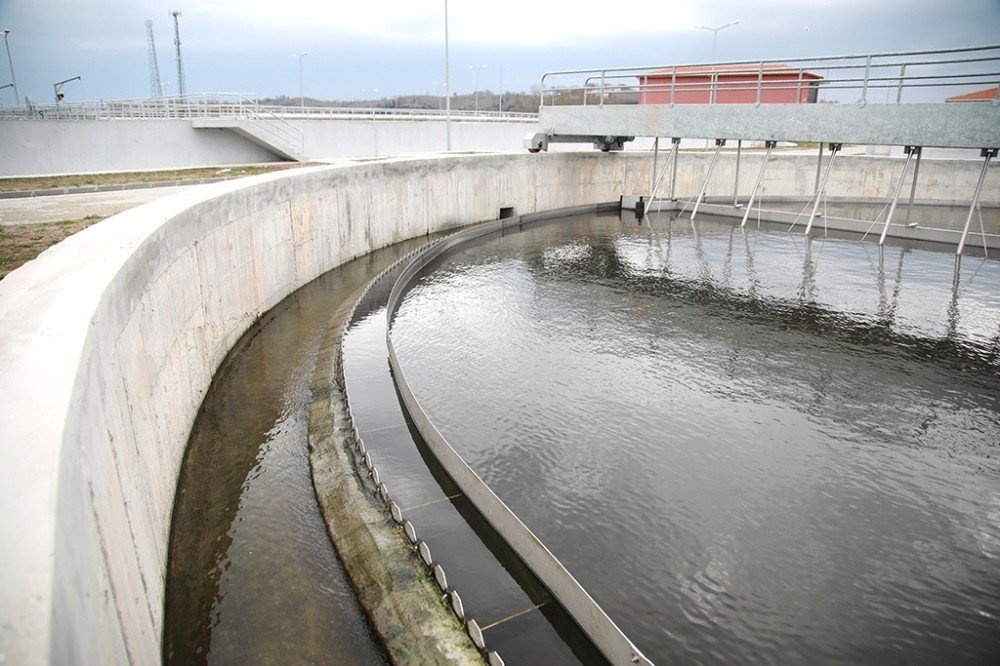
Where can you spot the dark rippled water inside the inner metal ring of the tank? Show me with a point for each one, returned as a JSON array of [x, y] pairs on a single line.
[[747, 446]]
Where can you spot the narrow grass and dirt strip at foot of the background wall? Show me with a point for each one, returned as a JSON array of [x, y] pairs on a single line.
[[83, 180]]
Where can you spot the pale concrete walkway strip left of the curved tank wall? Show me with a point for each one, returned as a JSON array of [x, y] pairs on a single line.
[[35, 210]]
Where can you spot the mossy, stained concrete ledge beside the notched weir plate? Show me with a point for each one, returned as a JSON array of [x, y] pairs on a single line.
[[401, 600]]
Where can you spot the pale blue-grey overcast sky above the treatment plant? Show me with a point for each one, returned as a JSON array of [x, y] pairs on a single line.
[[397, 46]]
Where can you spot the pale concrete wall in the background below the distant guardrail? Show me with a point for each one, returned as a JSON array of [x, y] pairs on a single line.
[[33, 147]]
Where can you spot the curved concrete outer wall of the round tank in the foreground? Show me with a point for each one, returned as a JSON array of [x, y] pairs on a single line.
[[109, 340]]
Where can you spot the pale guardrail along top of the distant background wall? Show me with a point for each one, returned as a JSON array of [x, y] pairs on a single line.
[[232, 105]]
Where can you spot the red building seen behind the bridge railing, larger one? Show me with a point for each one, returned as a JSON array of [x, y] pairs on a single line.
[[729, 84]]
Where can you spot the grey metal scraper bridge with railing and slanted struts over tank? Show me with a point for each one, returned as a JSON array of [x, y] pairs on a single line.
[[887, 99]]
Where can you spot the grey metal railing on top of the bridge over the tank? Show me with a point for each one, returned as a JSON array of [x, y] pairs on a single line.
[[924, 76]]
